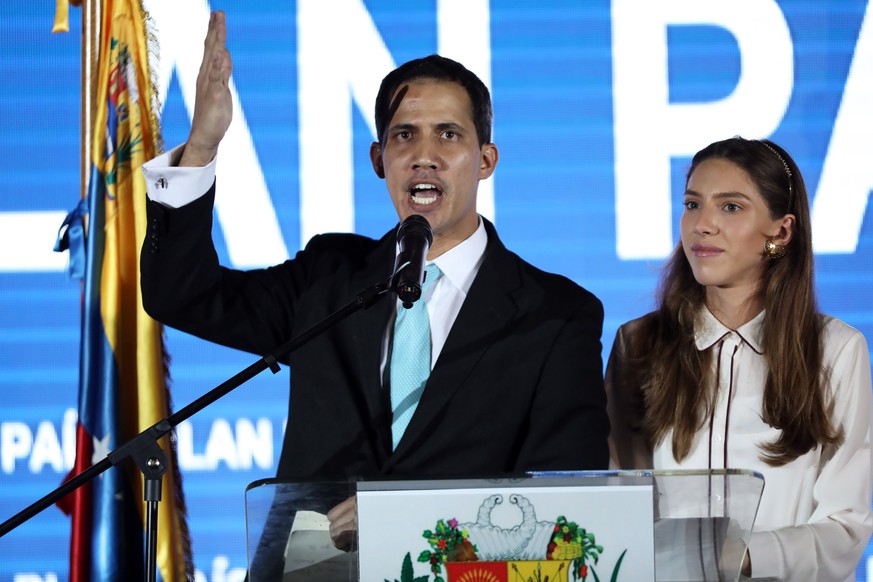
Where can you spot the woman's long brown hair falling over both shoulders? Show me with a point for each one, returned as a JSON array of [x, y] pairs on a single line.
[[676, 376]]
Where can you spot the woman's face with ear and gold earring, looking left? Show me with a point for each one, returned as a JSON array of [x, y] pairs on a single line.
[[724, 226]]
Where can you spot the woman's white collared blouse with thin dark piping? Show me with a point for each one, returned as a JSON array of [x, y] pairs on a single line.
[[814, 519]]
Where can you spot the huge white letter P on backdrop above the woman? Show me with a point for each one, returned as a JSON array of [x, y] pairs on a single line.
[[649, 130]]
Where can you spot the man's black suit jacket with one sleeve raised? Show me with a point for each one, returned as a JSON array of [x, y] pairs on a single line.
[[518, 385]]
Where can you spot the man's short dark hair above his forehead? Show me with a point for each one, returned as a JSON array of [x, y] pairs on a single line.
[[439, 69]]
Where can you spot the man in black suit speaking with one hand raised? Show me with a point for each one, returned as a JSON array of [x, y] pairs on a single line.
[[516, 381]]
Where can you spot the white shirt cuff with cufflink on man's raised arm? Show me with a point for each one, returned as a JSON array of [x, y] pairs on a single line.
[[173, 186]]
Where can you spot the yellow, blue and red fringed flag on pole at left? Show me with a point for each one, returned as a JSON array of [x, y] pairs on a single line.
[[115, 73]]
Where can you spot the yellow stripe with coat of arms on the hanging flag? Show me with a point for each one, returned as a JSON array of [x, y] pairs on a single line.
[[126, 100]]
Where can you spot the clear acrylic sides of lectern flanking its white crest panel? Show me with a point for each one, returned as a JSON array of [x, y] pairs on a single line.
[[702, 522]]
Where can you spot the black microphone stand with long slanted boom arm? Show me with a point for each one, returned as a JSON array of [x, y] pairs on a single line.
[[149, 456]]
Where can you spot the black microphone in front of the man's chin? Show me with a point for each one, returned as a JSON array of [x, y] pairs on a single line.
[[414, 237]]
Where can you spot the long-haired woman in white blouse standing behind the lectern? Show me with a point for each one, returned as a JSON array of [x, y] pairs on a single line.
[[737, 368]]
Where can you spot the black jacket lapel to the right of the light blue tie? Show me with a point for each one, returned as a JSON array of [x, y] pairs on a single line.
[[486, 311]]
